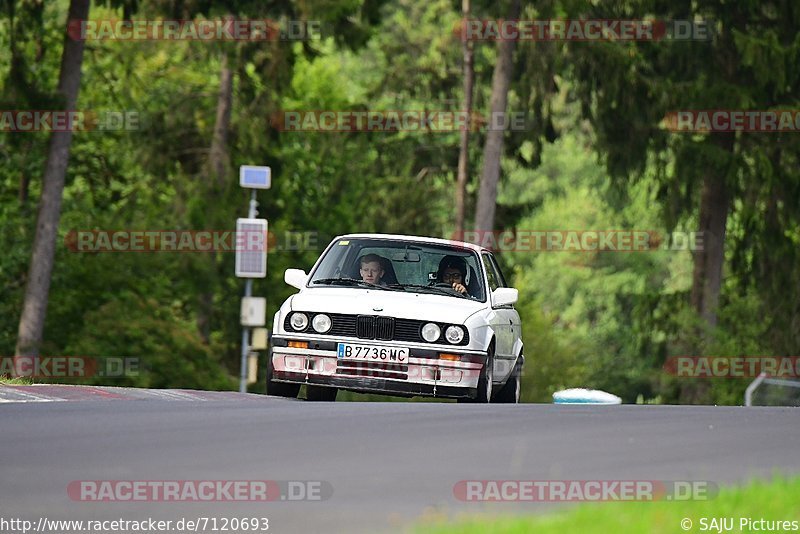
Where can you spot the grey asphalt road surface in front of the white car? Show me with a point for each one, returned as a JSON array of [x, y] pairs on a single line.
[[388, 464]]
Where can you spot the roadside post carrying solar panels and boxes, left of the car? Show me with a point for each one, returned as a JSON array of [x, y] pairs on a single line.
[[251, 259]]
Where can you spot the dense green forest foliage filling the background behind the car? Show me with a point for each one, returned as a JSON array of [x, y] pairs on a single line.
[[595, 156]]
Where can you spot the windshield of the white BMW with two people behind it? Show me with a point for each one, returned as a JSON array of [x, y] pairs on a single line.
[[396, 265]]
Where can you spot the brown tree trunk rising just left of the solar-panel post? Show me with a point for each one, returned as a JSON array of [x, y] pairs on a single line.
[[218, 163]]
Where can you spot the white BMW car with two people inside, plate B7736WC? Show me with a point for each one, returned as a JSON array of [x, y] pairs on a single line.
[[398, 315]]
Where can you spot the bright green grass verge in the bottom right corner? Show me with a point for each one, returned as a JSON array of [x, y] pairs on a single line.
[[775, 500]]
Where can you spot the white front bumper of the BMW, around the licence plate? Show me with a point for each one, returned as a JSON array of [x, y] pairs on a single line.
[[423, 375]]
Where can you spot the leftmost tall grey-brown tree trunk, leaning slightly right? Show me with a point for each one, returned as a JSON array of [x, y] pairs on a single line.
[[37, 289]]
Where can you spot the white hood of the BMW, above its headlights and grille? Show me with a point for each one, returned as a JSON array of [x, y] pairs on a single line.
[[421, 306]]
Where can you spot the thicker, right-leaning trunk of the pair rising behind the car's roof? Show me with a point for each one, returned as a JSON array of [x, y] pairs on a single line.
[[493, 149]]
